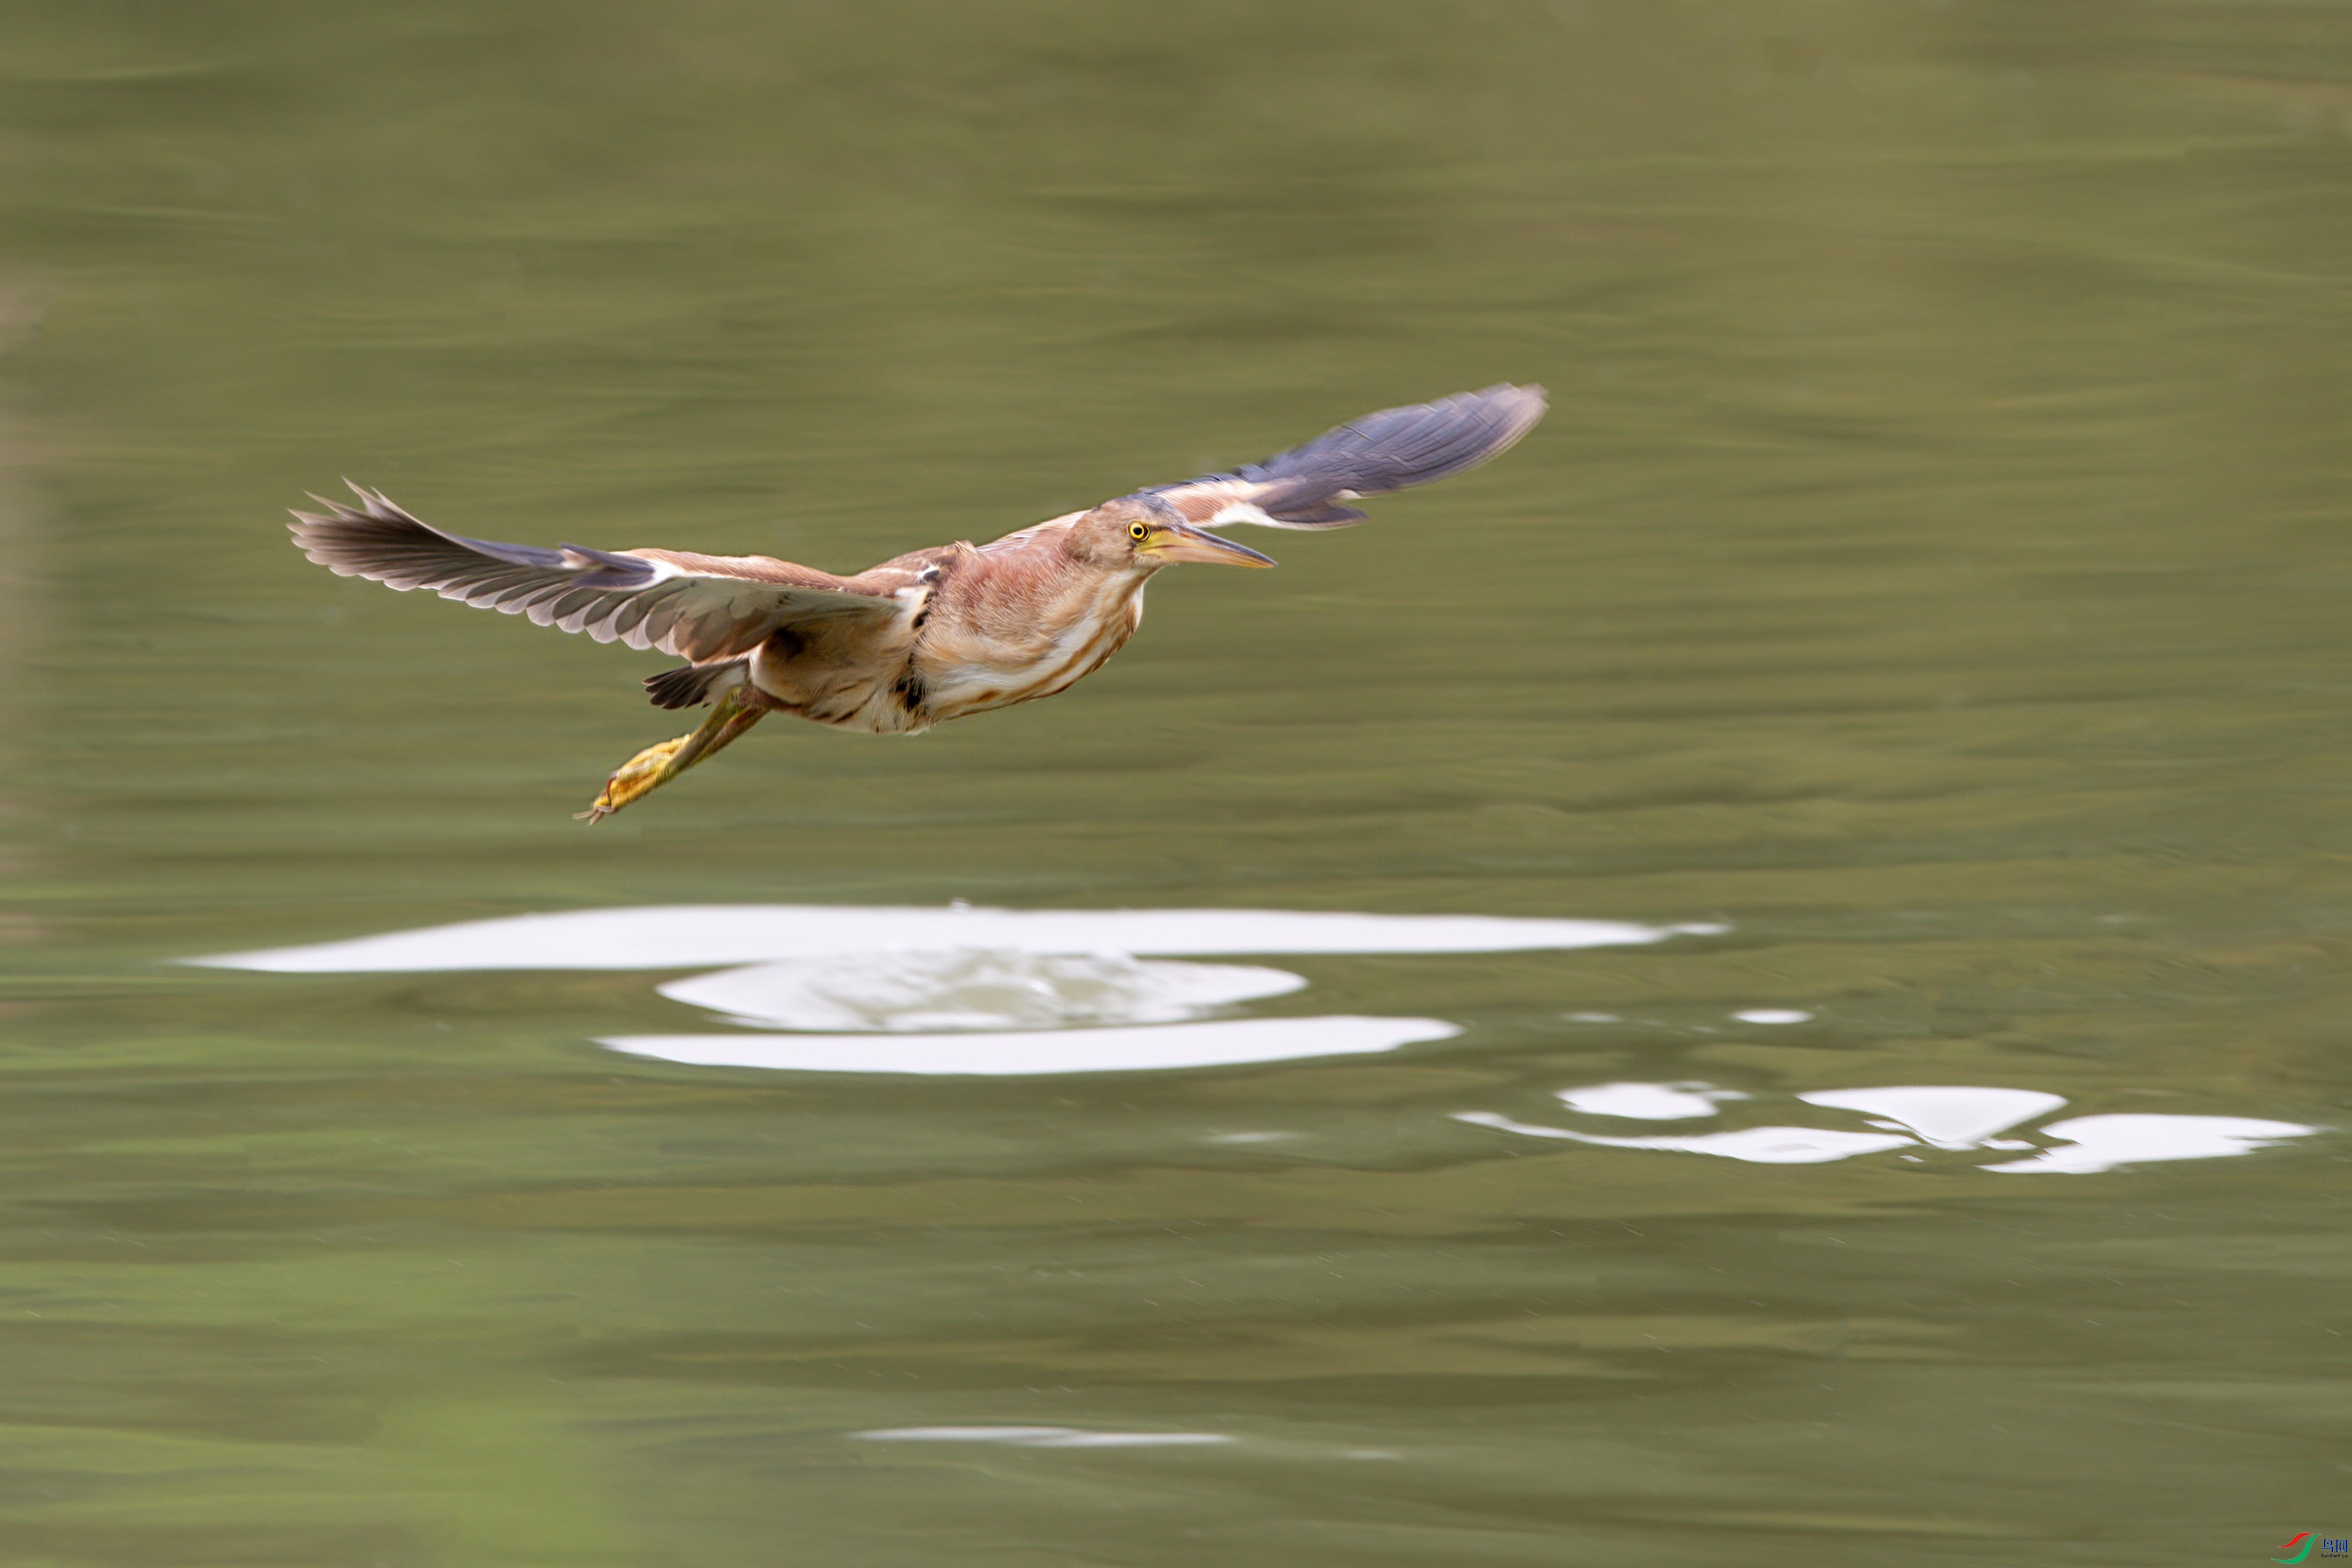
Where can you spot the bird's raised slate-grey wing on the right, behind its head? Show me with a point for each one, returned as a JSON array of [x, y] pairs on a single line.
[[1365, 457]]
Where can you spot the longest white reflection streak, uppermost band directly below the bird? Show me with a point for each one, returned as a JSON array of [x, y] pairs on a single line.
[[707, 937]]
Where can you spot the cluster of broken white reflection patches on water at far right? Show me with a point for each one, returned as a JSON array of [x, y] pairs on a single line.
[[1946, 1118]]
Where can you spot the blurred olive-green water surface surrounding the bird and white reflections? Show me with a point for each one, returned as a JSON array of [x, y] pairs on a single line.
[[1932, 570]]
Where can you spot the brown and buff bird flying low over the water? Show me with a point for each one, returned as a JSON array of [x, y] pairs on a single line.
[[926, 636]]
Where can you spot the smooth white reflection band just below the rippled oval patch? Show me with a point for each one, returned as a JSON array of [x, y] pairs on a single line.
[[998, 1054]]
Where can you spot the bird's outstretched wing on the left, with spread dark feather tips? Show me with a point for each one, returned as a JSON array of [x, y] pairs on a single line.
[[693, 605]]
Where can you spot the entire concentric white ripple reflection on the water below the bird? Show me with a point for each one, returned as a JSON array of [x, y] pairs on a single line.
[[963, 991]]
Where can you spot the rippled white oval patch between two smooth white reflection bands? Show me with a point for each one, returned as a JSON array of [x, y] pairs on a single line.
[[975, 991]]
